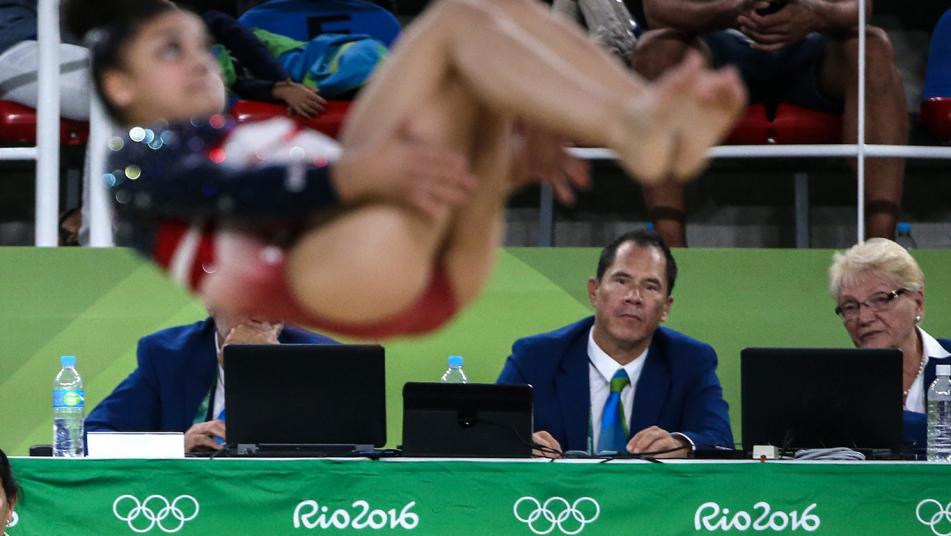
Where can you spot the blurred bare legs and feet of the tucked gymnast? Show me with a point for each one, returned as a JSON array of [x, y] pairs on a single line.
[[459, 77]]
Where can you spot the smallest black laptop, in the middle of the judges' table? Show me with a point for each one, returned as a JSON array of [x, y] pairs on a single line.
[[467, 420]]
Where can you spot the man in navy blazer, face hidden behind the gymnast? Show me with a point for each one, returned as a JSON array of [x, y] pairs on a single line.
[[178, 385]]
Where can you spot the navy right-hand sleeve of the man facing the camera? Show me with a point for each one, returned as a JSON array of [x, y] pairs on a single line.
[[706, 419]]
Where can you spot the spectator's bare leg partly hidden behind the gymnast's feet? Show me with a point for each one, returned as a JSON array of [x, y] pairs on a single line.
[[655, 53]]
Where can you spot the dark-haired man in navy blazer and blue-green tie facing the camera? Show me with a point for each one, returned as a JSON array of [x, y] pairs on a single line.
[[672, 400]]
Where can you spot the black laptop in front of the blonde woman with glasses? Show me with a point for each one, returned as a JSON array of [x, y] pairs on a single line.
[[821, 398]]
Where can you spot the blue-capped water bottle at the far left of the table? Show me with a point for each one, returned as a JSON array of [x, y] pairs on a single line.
[[68, 407]]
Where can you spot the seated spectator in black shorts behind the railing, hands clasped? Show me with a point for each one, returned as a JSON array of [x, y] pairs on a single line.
[[801, 52]]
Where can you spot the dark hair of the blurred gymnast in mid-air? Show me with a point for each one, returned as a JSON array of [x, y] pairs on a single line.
[[107, 26]]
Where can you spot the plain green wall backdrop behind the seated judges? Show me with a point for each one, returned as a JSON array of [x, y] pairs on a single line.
[[97, 303]]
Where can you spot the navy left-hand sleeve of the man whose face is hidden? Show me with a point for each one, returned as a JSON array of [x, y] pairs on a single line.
[[134, 406]]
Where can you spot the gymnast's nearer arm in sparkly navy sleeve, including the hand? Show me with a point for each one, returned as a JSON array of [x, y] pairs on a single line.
[[184, 172]]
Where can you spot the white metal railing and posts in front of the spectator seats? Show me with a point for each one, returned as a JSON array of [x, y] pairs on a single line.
[[46, 152]]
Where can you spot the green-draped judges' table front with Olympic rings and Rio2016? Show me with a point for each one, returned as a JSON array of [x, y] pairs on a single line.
[[265, 497]]
